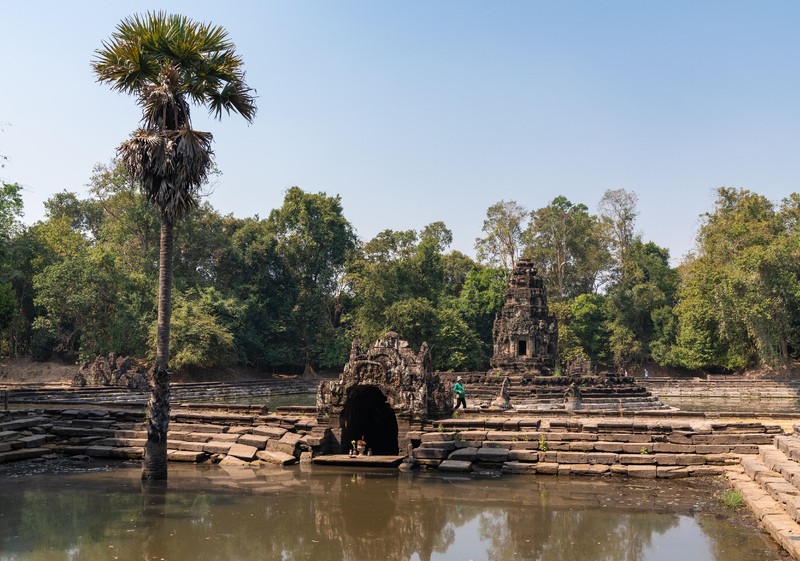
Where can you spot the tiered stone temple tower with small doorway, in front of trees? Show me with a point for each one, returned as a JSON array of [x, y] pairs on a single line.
[[525, 335]]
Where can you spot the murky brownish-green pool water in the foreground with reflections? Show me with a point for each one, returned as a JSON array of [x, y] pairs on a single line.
[[215, 513]]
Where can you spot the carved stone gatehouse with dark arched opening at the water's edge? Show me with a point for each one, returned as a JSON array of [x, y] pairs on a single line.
[[381, 393]]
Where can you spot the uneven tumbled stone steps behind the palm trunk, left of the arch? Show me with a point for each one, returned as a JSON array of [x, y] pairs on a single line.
[[193, 437]]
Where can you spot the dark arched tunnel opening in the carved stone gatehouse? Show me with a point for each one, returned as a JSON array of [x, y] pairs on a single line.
[[367, 414]]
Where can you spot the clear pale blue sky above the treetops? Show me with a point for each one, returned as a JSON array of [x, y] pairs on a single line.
[[418, 111]]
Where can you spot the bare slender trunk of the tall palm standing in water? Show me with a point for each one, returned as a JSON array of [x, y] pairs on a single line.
[[154, 466]]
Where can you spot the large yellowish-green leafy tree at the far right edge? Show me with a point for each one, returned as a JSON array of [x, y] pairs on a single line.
[[741, 291]]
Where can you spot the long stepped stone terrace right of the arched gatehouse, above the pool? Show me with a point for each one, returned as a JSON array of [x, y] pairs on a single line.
[[574, 446]]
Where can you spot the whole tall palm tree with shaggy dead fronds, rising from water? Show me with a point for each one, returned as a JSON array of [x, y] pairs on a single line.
[[169, 61]]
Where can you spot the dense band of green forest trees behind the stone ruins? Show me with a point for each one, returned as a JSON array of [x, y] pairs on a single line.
[[292, 290]]
